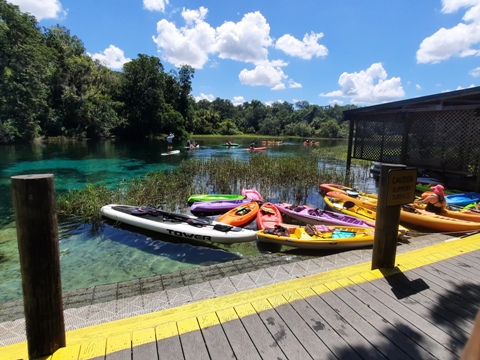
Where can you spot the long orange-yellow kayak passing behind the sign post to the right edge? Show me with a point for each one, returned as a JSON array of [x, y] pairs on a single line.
[[410, 216]]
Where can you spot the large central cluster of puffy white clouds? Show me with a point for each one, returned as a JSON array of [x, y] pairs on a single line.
[[247, 40]]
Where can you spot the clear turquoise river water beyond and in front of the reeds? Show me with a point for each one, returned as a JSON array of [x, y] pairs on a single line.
[[113, 254]]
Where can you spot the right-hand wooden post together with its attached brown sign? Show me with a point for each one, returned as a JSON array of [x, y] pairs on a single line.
[[396, 188]]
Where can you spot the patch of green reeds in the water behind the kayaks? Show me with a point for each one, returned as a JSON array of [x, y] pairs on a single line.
[[288, 178]]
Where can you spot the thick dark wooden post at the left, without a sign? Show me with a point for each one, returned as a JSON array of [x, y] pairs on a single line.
[[37, 234]]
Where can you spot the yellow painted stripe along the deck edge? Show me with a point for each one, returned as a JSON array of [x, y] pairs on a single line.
[[164, 321]]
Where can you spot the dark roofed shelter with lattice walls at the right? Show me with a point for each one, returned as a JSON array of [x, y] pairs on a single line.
[[439, 133]]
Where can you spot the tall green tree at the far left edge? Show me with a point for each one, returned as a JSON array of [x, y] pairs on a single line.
[[23, 70]]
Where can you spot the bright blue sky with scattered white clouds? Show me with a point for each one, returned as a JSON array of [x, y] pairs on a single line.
[[322, 51]]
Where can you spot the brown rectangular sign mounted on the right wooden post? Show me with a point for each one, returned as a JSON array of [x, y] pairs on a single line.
[[401, 186]]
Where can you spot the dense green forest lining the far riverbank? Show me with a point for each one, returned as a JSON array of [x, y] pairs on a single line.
[[51, 88]]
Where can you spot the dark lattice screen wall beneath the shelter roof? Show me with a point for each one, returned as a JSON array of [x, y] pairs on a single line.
[[443, 140]]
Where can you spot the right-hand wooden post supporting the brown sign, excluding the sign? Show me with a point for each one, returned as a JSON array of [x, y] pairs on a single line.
[[386, 224]]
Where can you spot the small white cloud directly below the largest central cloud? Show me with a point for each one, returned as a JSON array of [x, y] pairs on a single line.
[[266, 74]]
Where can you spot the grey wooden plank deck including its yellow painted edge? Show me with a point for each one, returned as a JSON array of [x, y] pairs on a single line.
[[423, 309]]
